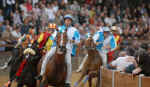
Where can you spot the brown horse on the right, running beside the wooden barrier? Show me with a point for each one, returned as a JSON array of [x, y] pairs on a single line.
[[92, 65]]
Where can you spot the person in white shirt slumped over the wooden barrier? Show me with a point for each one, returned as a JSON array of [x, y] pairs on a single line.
[[124, 63]]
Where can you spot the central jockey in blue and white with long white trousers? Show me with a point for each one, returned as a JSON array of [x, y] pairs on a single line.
[[73, 38]]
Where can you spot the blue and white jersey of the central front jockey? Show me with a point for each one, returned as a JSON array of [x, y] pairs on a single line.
[[72, 34]]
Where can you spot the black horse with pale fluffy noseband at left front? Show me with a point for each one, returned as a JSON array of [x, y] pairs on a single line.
[[32, 56]]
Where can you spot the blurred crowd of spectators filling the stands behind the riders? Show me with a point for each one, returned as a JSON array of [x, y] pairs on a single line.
[[17, 17]]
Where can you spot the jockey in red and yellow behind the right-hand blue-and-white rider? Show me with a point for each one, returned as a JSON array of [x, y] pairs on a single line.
[[116, 34]]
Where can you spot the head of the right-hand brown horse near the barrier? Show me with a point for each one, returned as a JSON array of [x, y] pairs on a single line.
[[89, 43]]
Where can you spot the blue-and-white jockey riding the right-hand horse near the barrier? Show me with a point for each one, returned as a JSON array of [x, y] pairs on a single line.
[[105, 42]]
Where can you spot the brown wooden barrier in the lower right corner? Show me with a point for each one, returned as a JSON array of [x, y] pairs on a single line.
[[111, 78]]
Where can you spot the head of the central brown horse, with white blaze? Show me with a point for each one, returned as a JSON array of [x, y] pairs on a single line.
[[61, 42]]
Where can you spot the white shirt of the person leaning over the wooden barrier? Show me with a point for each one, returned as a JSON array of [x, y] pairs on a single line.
[[121, 63]]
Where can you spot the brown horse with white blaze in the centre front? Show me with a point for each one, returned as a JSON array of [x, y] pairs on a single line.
[[56, 68]]
